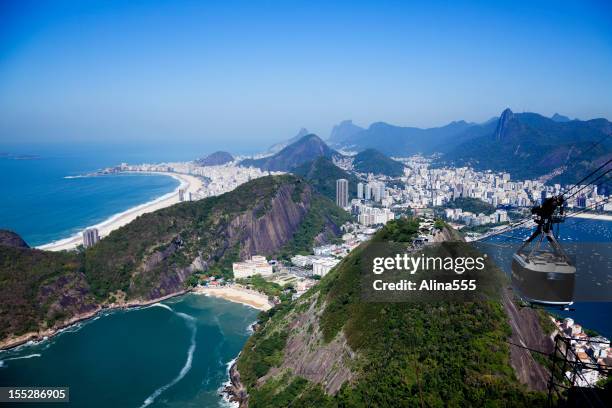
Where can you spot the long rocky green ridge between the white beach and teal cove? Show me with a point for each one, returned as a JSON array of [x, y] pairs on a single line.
[[155, 254]]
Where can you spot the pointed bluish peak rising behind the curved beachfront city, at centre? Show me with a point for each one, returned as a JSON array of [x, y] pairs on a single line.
[[306, 149]]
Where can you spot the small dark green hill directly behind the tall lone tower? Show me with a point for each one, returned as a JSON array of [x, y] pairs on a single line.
[[322, 173]]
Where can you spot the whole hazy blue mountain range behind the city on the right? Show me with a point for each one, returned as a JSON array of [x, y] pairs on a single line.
[[527, 145]]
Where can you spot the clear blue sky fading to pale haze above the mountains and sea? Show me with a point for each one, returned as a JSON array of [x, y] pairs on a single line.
[[251, 72]]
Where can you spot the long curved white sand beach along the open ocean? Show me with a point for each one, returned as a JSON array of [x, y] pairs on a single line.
[[189, 183]]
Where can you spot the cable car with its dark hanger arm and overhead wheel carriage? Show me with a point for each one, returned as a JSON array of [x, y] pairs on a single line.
[[544, 276]]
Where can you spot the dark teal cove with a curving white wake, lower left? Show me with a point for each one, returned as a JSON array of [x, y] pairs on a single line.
[[173, 354]]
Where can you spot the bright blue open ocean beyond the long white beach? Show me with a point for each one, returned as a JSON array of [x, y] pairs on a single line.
[[41, 205]]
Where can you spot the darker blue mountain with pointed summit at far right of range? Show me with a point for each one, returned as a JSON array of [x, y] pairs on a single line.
[[529, 145]]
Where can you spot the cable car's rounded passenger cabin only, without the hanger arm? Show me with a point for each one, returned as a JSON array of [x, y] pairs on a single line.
[[543, 278]]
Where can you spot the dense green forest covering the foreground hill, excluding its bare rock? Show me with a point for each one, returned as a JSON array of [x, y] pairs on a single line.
[[411, 354]]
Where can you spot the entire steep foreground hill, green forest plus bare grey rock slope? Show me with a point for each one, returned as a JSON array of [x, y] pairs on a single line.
[[333, 348]]
